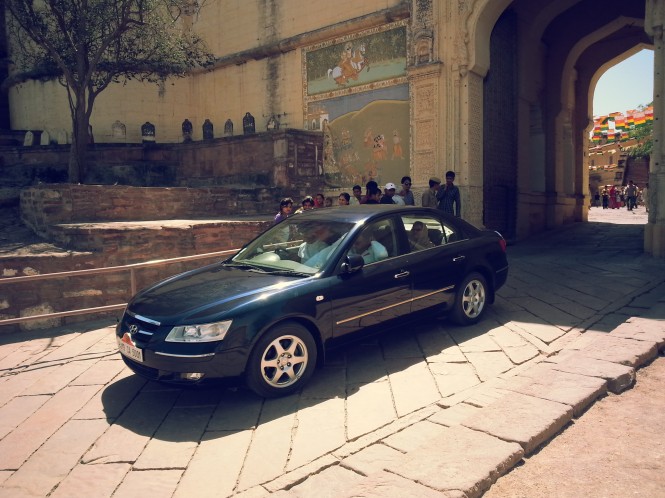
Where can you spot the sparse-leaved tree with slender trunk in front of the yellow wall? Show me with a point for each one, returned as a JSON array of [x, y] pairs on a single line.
[[88, 44]]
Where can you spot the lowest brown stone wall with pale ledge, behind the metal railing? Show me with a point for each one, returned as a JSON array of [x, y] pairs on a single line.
[[114, 244]]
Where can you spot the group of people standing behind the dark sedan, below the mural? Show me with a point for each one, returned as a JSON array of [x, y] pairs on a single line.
[[446, 197]]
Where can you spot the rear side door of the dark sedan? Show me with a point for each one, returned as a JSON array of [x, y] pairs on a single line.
[[436, 260]]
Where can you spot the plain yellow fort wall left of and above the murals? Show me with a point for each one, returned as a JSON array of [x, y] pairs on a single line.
[[259, 50]]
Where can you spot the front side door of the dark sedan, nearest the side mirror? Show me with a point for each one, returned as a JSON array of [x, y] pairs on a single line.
[[379, 291]]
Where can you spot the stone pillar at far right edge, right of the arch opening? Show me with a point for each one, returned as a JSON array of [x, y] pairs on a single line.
[[654, 232]]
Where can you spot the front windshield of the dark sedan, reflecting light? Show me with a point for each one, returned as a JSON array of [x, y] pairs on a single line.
[[294, 246]]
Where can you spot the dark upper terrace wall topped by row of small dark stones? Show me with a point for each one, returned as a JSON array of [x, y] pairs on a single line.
[[288, 159]]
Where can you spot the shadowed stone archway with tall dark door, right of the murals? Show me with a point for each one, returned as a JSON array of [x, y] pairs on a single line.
[[537, 67]]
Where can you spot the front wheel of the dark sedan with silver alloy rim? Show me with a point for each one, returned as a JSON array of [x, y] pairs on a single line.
[[282, 361]]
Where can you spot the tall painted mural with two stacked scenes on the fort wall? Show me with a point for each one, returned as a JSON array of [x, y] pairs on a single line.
[[355, 91]]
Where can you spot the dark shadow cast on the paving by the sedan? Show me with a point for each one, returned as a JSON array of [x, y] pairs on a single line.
[[162, 411]]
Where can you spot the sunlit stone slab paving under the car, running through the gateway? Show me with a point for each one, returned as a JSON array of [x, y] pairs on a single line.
[[436, 410]]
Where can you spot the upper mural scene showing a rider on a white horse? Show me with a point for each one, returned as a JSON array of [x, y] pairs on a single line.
[[376, 55]]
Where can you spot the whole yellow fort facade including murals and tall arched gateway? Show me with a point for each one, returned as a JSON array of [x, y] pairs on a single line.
[[499, 91]]
